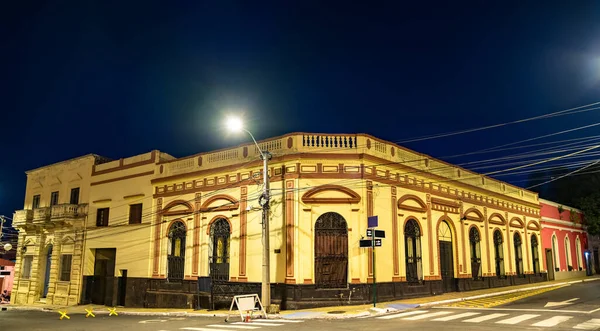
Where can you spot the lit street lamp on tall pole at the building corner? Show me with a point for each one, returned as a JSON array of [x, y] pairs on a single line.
[[235, 124]]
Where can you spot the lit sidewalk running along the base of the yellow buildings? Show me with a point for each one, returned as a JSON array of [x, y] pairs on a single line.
[[335, 312]]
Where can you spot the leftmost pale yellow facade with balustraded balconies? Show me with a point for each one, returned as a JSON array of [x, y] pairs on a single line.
[[51, 231]]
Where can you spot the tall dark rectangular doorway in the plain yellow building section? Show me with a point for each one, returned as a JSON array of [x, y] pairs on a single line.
[[104, 271]]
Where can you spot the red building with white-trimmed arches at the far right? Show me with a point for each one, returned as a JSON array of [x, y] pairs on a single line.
[[564, 241]]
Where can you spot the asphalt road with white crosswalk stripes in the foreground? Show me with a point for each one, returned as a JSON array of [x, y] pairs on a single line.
[[532, 313]]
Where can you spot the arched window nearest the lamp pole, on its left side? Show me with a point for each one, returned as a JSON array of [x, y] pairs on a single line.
[[219, 250]]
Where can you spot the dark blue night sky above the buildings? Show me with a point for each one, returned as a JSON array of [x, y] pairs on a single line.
[[118, 78]]
